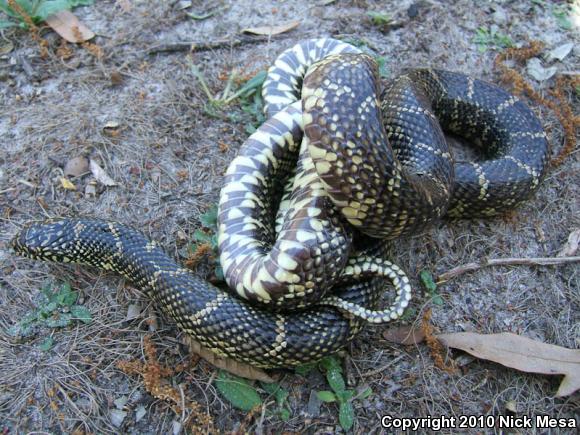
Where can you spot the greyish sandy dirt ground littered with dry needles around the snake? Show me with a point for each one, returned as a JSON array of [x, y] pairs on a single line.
[[167, 155]]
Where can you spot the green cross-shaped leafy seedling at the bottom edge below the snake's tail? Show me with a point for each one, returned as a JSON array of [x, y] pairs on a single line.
[[339, 393]]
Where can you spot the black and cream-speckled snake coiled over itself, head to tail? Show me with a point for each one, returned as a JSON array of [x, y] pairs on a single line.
[[345, 162]]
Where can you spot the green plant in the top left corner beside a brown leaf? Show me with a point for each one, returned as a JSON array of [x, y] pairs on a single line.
[[20, 12]]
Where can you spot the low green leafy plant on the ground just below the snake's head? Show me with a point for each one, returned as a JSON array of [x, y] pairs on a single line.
[[57, 308]]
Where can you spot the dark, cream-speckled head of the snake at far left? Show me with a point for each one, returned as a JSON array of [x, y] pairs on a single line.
[[41, 240]]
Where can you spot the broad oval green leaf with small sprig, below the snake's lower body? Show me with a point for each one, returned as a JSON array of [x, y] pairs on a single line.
[[243, 396]]
